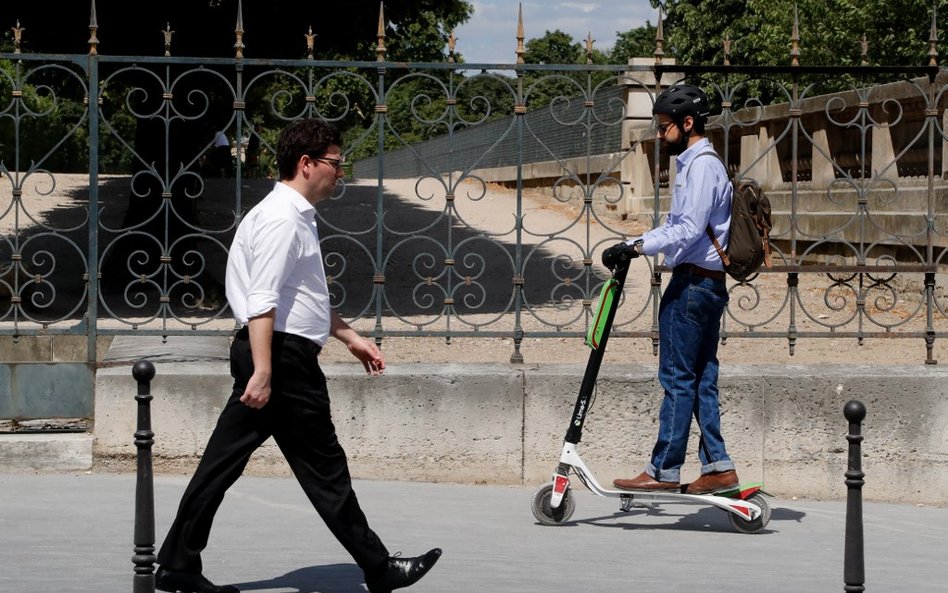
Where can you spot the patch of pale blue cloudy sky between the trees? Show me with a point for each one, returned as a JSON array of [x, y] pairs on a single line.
[[490, 36]]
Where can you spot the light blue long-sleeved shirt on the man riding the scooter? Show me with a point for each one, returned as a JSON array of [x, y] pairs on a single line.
[[701, 196]]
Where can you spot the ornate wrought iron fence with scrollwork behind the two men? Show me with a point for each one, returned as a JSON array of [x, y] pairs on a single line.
[[135, 243]]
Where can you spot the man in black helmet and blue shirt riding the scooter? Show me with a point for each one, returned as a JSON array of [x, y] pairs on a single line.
[[692, 303]]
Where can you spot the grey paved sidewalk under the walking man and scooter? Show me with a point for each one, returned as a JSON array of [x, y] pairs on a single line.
[[73, 533]]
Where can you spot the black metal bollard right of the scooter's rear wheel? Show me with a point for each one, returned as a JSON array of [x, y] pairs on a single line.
[[854, 562]]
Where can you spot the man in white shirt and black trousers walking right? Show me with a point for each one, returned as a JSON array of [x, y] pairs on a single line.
[[276, 287]]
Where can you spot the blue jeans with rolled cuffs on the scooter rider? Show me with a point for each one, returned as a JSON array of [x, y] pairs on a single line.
[[689, 324]]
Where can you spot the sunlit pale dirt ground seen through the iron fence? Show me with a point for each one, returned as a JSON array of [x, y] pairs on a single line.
[[488, 210]]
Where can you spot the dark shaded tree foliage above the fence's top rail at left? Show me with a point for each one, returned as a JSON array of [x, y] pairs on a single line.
[[416, 30]]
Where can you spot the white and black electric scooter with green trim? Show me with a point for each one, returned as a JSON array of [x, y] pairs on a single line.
[[553, 503]]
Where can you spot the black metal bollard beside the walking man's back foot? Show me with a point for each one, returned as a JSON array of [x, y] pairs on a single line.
[[144, 558]]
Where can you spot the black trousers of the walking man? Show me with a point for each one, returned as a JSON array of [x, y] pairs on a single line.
[[298, 417]]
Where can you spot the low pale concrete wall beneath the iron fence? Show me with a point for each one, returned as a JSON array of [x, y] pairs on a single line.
[[505, 424]]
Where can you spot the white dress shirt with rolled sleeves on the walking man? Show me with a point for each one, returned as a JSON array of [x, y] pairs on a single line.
[[275, 262]]
